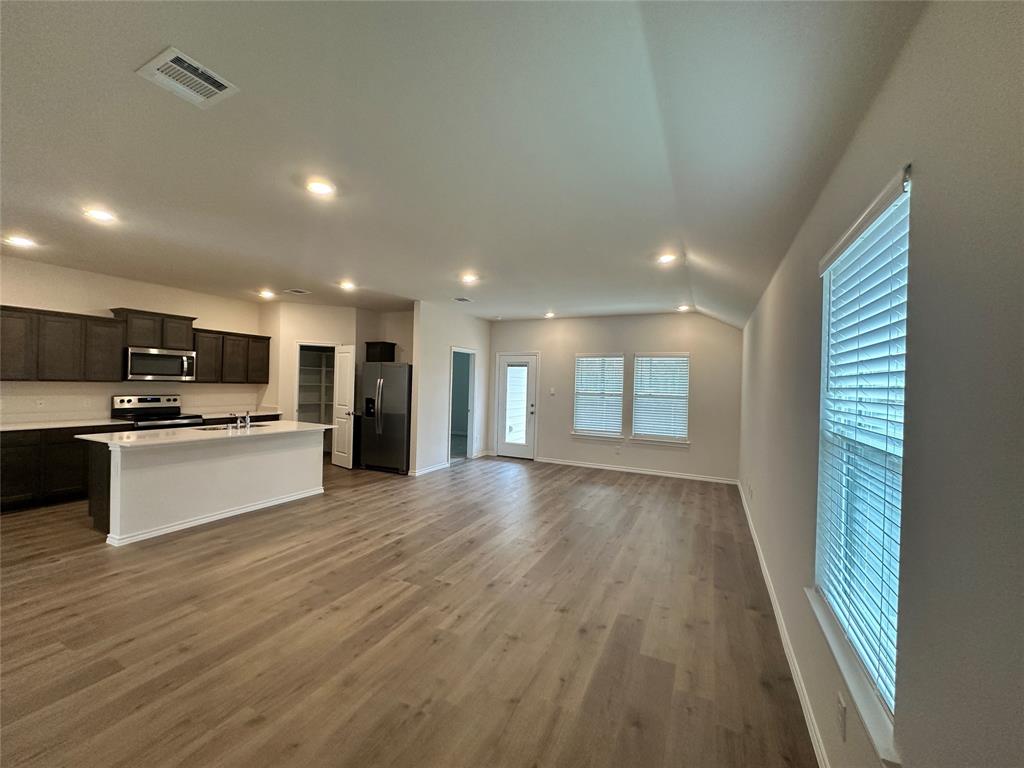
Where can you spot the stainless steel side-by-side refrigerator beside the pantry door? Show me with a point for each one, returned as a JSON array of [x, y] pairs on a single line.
[[387, 393]]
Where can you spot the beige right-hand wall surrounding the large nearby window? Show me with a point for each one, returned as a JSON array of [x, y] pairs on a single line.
[[953, 106]]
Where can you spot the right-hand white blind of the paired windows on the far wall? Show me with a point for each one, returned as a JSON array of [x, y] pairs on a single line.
[[661, 397]]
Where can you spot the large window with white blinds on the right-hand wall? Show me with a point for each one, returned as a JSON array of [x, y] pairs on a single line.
[[862, 435]]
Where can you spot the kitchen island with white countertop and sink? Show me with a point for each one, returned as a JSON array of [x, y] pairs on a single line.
[[147, 484]]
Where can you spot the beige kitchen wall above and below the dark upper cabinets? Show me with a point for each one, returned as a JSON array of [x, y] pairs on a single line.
[[26, 283]]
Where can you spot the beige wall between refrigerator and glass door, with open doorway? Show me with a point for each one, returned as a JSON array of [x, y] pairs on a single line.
[[437, 330]]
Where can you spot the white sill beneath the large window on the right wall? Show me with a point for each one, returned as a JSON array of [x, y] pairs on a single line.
[[873, 712]]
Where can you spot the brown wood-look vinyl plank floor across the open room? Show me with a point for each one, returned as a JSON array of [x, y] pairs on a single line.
[[499, 614]]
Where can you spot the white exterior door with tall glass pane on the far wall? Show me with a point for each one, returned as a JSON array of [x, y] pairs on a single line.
[[517, 405]]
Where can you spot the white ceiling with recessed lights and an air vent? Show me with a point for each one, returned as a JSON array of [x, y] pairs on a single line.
[[553, 148]]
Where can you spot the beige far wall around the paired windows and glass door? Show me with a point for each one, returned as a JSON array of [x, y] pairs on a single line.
[[715, 360]]
